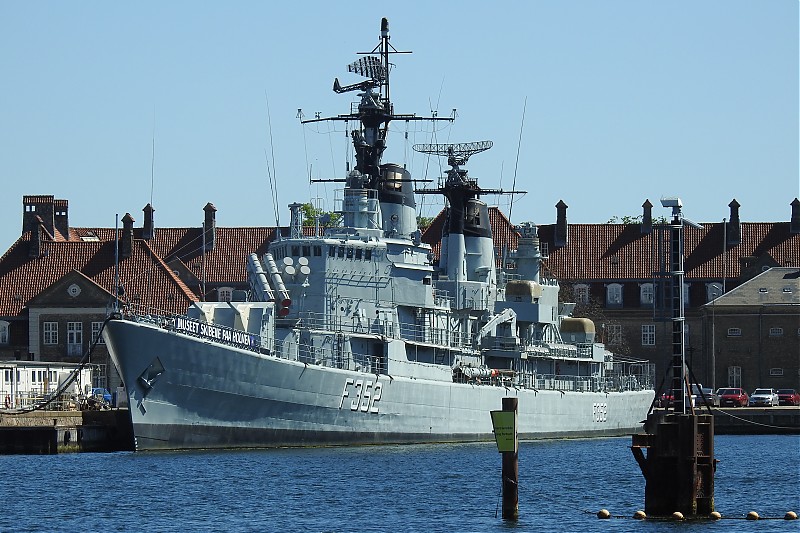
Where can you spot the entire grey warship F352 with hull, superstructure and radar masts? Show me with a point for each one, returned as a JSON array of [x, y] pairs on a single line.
[[359, 335]]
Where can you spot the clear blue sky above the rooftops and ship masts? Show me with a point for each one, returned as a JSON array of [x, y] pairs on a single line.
[[624, 100]]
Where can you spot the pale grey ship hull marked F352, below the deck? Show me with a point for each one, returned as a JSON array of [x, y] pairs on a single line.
[[192, 393]]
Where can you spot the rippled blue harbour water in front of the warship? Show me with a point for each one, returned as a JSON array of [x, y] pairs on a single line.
[[563, 483]]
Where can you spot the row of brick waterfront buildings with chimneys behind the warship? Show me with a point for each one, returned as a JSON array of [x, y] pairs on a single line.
[[57, 283]]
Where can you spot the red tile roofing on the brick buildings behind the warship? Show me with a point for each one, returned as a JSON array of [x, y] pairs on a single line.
[[593, 252]]
